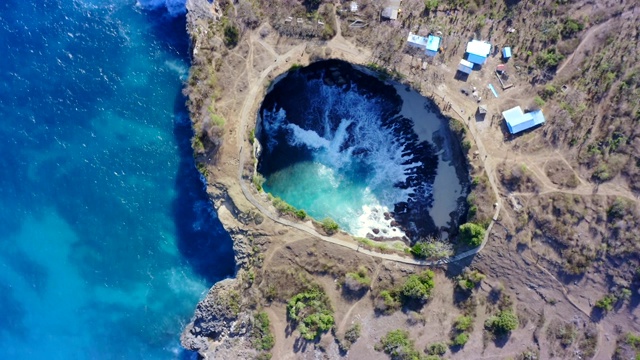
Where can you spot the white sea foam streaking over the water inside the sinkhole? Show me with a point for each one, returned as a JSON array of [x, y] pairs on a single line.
[[350, 135]]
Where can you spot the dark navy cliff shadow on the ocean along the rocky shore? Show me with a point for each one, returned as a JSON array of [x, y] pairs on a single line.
[[201, 239]]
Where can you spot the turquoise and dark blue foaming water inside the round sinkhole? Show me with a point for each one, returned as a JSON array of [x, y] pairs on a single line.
[[345, 155]]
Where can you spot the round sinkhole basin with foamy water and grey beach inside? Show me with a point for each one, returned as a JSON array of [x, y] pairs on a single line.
[[375, 156]]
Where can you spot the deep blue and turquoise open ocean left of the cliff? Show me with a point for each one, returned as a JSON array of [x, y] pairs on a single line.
[[107, 240]]
